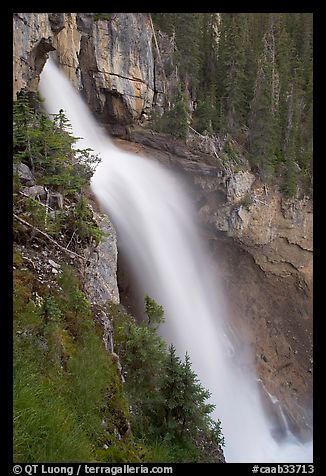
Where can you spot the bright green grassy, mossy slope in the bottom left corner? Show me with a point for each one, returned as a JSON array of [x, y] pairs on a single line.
[[65, 383]]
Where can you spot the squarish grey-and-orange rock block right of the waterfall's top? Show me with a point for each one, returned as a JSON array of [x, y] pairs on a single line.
[[118, 91]]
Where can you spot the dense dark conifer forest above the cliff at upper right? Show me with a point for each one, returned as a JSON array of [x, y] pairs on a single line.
[[250, 75]]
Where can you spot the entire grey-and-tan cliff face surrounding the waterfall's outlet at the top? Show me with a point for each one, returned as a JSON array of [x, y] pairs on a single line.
[[111, 61]]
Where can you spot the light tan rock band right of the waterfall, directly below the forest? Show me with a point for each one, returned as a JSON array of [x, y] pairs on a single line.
[[275, 231]]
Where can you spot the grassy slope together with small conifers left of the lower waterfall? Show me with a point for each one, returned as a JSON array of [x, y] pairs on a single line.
[[69, 401]]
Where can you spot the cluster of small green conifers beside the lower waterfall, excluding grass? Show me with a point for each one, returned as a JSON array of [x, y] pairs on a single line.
[[169, 412]]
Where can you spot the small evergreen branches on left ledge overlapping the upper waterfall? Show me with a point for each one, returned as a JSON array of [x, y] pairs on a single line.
[[48, 147]]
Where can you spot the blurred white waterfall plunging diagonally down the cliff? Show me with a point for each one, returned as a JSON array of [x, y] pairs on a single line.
[[156, 225]]
